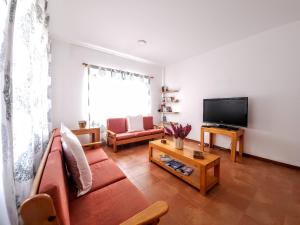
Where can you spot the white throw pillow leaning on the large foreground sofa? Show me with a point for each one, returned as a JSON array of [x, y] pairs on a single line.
[[76, 161]]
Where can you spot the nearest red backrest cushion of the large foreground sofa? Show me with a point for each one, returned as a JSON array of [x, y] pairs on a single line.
[[54, 183]]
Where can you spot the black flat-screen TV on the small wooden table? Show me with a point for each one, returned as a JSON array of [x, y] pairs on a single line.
[[226, 111]]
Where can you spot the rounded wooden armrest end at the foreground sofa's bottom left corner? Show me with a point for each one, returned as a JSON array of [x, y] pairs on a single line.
[[39, 209]]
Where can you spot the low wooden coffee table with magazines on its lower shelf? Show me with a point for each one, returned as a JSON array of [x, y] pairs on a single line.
[[202, 177]]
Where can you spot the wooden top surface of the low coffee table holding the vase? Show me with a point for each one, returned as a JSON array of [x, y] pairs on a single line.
[[185, 154]]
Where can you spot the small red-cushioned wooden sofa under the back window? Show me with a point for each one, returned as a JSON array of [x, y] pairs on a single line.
[[117, 133]]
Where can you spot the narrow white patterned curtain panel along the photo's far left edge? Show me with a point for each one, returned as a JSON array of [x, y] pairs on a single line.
[[7, 195]]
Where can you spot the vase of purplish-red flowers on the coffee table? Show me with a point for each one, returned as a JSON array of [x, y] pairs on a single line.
[[179, 133]]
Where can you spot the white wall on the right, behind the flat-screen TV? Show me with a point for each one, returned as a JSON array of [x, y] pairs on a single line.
[[264, 67]]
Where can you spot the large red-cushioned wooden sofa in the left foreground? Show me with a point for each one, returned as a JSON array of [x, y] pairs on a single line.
[[113, 199]]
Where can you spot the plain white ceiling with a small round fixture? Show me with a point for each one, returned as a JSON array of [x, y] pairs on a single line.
[[174, 29]]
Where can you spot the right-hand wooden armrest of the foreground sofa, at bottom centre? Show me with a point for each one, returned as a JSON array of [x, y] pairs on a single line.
[[150, 215]]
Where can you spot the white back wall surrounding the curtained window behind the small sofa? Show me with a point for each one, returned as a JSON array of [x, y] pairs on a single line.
[[68, 80]]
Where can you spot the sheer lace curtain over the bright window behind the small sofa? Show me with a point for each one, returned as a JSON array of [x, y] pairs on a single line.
[[113, 94]]
